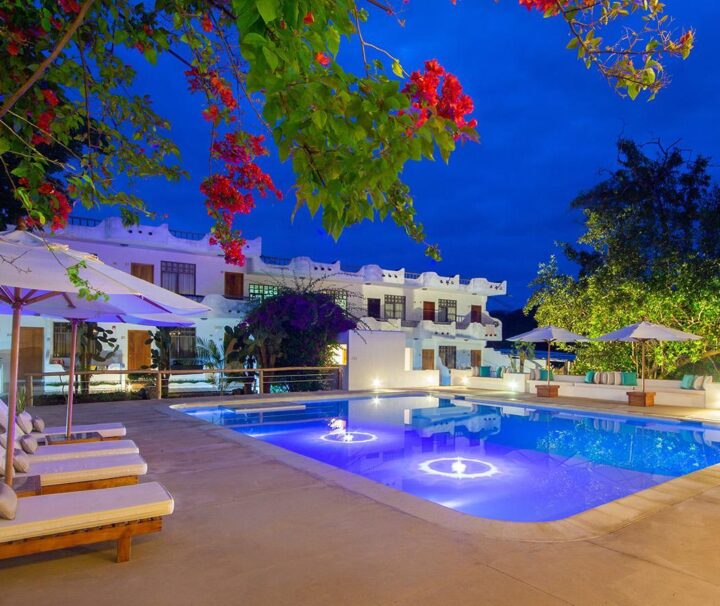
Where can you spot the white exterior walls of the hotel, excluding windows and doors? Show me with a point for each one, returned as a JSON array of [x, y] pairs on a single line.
[[121, 247]]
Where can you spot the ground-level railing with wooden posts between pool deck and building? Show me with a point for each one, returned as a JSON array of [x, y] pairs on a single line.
[[152, 383]]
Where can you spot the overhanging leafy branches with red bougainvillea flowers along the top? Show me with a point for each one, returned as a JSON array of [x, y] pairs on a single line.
[[347, 133]]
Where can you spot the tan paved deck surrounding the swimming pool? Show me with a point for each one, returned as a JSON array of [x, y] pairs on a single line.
[[250, 529]]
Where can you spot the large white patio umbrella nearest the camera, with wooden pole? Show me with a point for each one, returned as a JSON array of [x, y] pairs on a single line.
[[33, 277]]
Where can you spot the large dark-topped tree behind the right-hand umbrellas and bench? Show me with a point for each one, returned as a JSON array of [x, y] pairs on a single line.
[[651, 250]]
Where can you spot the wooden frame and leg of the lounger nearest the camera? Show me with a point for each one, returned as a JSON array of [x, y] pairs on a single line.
[[122, 533]]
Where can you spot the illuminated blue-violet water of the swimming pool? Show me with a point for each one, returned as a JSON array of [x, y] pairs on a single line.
[[495, 461]]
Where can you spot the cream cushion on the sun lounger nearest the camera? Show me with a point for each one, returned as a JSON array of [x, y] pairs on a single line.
[[52, 514]]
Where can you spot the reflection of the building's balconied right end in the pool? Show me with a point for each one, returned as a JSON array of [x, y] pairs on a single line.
[[474, 422]]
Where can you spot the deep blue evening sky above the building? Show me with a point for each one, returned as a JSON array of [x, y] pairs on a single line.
[[548, 128]]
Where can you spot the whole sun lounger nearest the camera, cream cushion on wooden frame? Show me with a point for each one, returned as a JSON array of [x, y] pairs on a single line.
[[59, 521]]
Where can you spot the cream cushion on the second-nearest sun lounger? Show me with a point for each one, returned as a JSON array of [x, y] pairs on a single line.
[[88, 469]]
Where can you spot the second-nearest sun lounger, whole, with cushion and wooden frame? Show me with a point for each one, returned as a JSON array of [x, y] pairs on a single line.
[[86, 473]]
